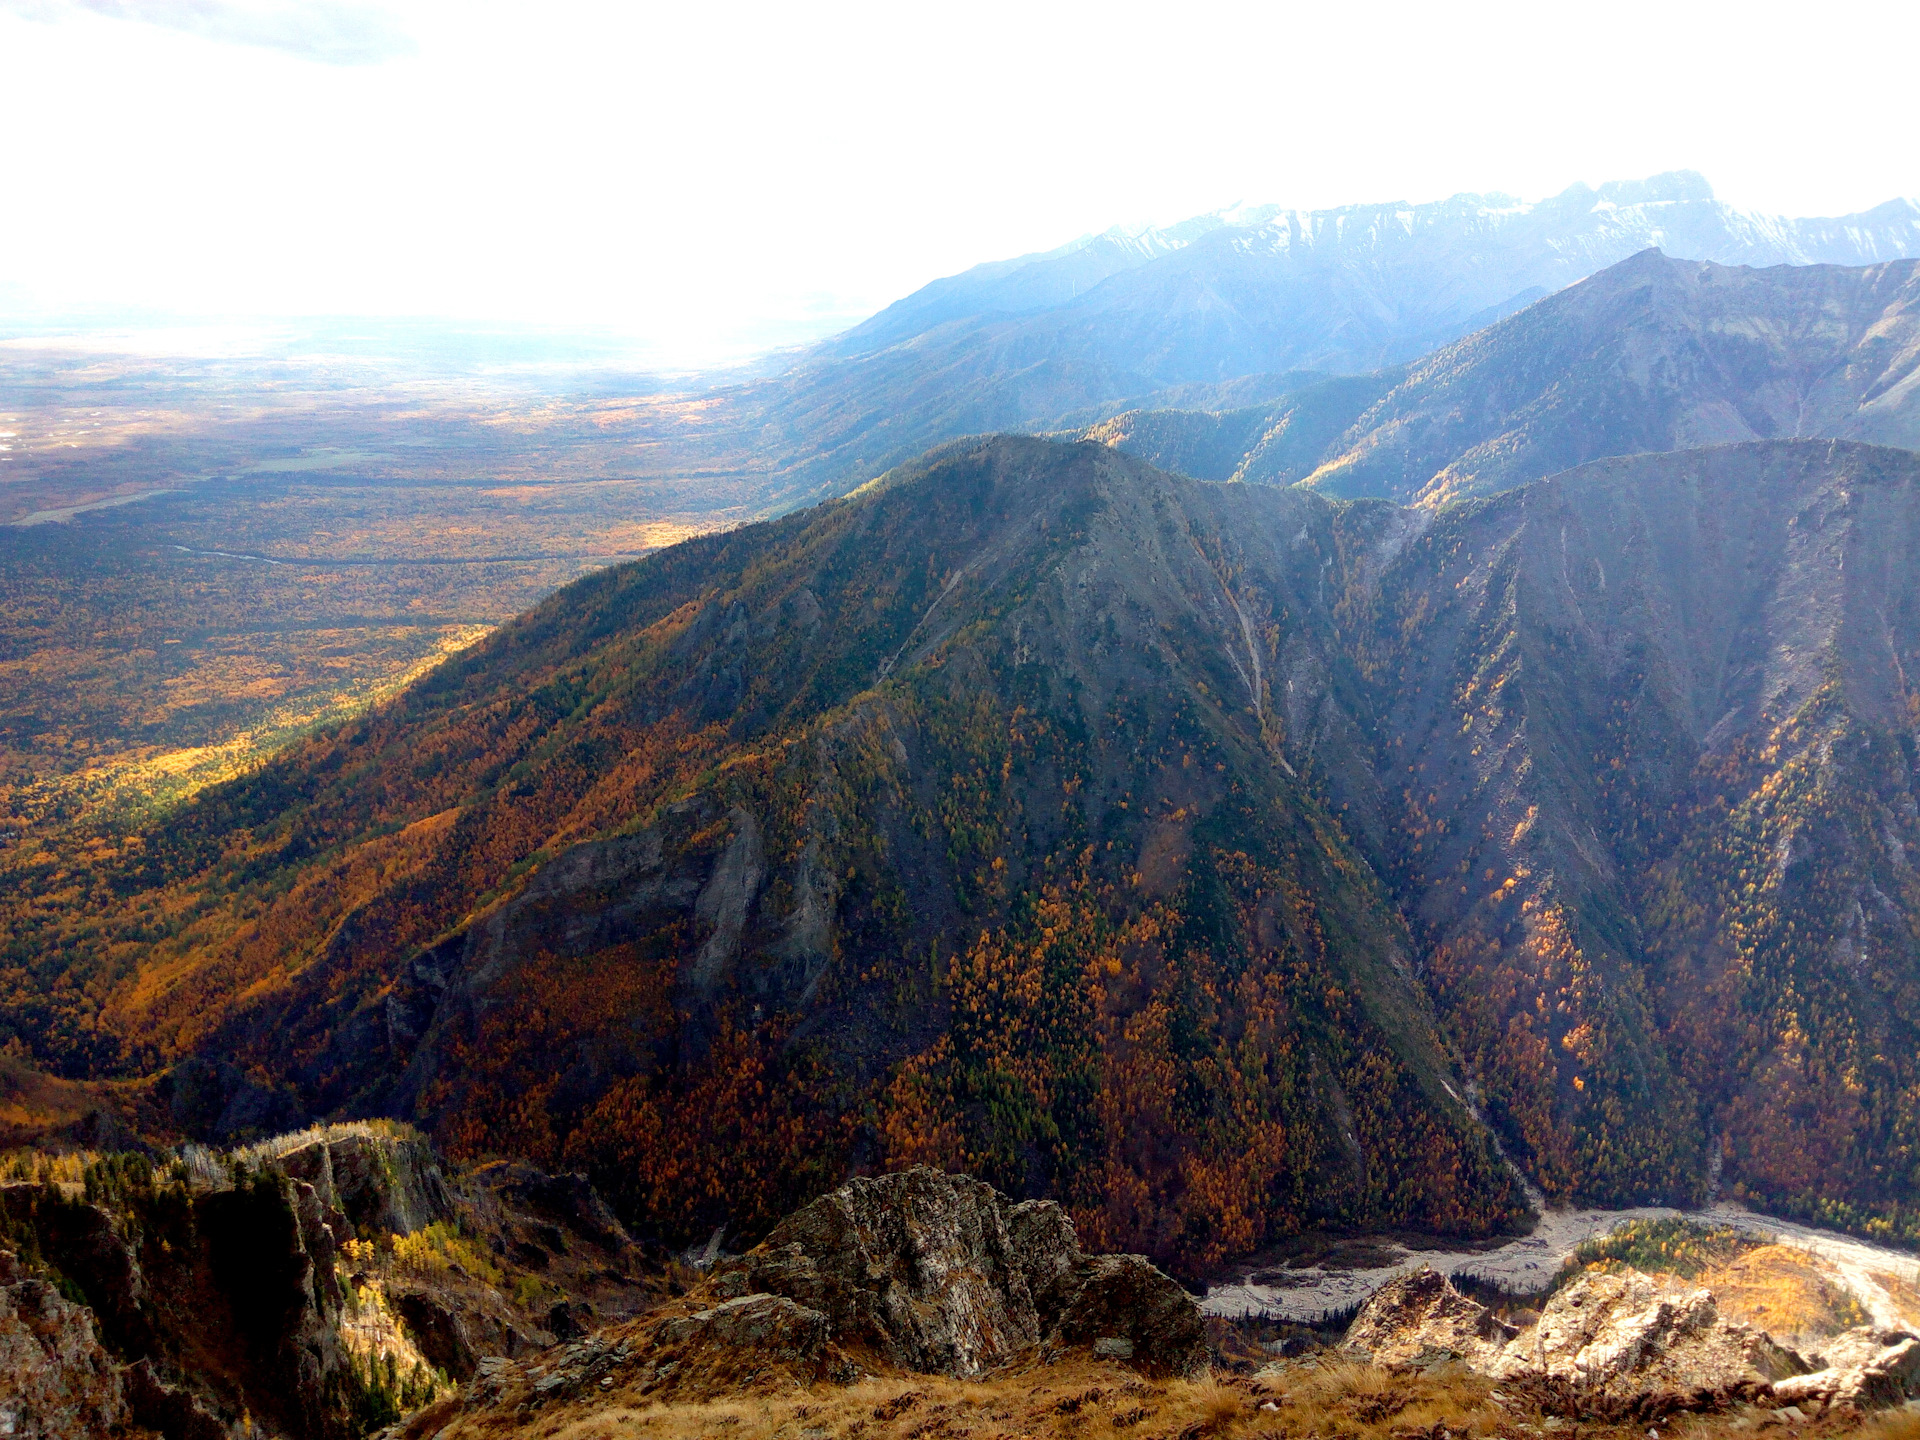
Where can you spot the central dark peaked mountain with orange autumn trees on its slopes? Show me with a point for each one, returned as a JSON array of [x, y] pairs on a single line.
[[938, 825]]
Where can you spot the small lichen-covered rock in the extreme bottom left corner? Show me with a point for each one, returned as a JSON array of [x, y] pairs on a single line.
[[57, 1380]]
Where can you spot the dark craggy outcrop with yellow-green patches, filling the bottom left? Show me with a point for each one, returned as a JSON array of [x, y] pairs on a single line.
[[308, 1285]]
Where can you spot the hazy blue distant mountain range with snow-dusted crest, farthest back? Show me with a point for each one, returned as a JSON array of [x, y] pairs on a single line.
[[1218, 312]]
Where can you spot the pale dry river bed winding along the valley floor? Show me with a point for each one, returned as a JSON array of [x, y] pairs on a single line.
[[1307, 1291]]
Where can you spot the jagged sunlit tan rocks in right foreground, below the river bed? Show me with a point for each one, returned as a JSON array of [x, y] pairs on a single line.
[[1612, 1333]]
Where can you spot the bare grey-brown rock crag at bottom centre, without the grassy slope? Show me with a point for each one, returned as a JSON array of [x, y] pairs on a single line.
[[940, 1274]]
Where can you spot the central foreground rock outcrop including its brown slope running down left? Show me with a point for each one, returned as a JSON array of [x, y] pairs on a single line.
[[915, 1272]]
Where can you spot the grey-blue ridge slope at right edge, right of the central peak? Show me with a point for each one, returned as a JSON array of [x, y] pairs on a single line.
[[1656, 765]]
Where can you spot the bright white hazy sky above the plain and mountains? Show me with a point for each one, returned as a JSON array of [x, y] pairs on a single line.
[[719, 176]]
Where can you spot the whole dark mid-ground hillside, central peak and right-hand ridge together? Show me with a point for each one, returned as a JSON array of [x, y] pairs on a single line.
[[1189, 853]]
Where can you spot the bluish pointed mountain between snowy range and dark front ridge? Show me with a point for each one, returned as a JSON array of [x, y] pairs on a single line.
[[1652, 354]]
